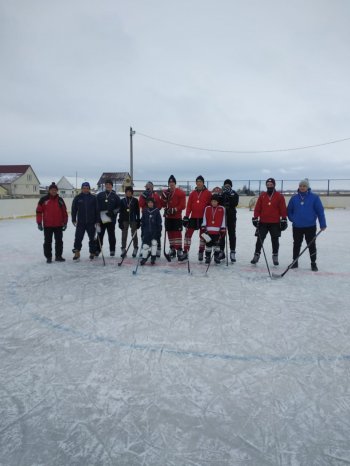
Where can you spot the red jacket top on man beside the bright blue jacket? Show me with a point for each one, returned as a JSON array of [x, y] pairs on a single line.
[[270, 208]]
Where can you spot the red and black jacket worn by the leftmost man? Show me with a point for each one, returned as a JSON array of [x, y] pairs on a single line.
[[52, 211]]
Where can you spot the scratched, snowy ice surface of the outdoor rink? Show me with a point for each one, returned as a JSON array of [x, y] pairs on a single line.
[[102, 367]]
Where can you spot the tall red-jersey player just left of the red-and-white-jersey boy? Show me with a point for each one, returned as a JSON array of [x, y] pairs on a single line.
[[198, 200]]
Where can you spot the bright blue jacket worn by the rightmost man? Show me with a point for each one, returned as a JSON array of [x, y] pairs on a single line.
[[304, 209]]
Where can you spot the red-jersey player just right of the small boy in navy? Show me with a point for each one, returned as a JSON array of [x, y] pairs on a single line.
[[174, 202]]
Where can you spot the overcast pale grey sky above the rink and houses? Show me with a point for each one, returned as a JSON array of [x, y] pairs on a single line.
[[240, 75]]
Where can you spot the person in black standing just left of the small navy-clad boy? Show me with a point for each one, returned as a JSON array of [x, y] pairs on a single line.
[[129, 217]]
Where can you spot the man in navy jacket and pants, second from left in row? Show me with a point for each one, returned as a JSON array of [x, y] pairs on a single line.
[[85, 219]]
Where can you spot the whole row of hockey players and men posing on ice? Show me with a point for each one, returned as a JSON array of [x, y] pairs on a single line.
[[212, 213]]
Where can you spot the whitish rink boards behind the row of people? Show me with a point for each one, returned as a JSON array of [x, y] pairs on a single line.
[[19, 208]]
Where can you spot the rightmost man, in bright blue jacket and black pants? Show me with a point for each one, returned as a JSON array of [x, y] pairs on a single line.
[[304, 209]]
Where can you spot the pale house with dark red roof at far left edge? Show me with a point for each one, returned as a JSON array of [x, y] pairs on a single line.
[[19, 181]]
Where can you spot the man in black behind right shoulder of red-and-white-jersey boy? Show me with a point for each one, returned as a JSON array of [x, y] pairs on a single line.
[[229, 199]]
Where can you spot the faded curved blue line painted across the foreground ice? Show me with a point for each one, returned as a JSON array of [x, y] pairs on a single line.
[[183, 353]]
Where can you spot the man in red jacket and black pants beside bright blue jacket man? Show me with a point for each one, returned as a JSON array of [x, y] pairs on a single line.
[[270, 216]]
